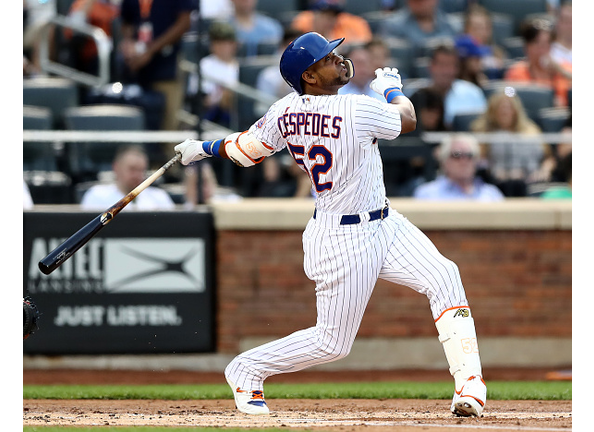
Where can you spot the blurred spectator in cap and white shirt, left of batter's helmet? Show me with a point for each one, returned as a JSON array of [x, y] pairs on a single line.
[[221, 63]]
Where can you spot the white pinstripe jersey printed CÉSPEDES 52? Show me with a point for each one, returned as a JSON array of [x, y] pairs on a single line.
[[334, 139]]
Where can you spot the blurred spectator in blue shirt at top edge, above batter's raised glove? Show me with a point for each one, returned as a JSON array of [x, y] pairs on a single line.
[[418, 22]]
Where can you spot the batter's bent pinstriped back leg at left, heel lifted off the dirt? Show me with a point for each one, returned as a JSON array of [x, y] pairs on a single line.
[[345, 272]]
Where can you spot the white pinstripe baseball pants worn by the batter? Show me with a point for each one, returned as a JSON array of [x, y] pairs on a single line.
[[345, 262]]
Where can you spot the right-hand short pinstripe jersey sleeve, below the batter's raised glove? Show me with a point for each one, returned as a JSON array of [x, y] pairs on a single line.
[[376, 119]]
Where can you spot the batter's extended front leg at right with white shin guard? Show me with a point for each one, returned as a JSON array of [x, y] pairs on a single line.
[[414, 261]]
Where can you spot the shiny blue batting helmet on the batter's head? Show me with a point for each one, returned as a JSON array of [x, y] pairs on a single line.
[[304, 51]]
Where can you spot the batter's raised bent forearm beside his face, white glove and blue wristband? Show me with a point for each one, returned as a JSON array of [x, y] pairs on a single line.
[[387, 82]]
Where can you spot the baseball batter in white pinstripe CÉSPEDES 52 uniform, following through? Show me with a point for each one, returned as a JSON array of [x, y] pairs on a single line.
[[354, 237]]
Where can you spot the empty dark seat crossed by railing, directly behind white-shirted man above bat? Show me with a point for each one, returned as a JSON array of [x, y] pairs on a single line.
[[87, 159]]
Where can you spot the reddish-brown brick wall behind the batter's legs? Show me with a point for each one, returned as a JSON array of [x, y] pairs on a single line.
[[518, 284]]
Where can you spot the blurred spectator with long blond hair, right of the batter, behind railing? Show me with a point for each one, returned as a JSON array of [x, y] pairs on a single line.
[[512, 164]]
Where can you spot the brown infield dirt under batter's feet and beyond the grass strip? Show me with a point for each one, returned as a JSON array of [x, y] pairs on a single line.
[[352, 415]]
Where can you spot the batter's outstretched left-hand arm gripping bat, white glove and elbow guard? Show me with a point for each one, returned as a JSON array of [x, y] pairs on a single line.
[[243, 148]]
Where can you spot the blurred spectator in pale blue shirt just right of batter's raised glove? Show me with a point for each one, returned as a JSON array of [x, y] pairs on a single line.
[[459, 96]]
